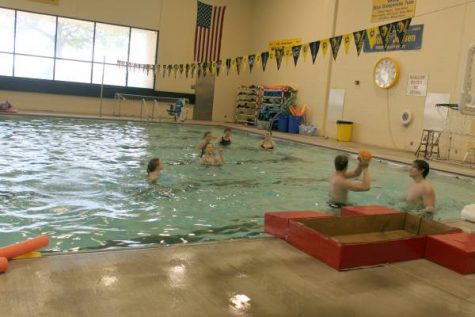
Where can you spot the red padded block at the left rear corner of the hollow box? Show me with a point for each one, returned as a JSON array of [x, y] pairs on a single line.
[[277, 222]]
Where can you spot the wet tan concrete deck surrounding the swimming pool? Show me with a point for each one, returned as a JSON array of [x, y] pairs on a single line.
[[250, 277]]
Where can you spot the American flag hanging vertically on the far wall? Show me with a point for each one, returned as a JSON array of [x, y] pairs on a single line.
[[208, 33]]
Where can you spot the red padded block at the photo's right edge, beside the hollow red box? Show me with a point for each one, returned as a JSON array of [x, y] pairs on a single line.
[[455, 251]]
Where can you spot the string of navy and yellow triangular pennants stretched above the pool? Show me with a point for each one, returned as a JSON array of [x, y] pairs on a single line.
[[399, 35]]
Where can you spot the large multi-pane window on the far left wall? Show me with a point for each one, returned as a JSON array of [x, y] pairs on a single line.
[[56, 48]]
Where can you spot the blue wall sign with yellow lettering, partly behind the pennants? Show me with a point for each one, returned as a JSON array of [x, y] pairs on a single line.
[[412, 41]]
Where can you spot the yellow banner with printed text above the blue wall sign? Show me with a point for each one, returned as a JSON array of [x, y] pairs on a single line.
[[384, 10]]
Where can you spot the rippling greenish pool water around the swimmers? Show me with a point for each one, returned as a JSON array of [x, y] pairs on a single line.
[[82, 182]]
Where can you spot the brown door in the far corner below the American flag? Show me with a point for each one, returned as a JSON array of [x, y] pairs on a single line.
[[204, 93]]
